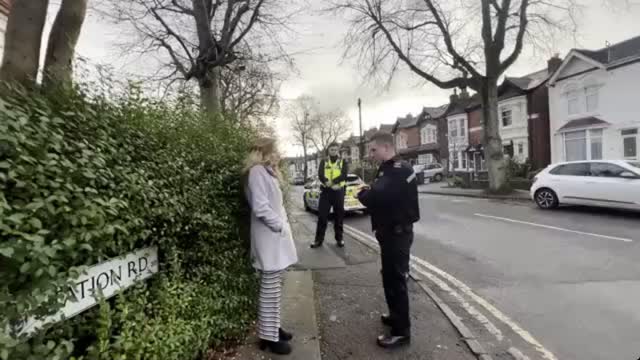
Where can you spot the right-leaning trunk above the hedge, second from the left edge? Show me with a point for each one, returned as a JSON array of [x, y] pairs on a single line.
[[64, 36]]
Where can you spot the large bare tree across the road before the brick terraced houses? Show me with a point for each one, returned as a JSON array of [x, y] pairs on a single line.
[[453, 44]]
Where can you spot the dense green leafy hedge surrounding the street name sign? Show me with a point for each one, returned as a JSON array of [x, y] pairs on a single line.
[[86, 179]]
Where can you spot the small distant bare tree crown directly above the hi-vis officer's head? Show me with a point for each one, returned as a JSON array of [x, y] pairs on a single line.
[[328, 128]]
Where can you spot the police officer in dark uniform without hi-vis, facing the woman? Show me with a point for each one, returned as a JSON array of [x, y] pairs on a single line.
[[392, 201]]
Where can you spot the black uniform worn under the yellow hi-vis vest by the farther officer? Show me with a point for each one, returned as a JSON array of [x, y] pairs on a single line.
[[330, 198]]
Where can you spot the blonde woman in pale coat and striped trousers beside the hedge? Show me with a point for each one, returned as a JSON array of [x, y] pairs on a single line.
[[272, 246]]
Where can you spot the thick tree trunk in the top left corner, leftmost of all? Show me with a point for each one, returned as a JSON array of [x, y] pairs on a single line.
[[23, 37]]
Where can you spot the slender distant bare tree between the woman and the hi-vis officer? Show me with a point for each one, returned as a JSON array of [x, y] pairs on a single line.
[[302, 124]]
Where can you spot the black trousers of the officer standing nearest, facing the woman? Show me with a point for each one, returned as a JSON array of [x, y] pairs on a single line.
[[395, 248]]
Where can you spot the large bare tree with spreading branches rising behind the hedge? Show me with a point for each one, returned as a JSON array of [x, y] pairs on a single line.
[[201, 37]]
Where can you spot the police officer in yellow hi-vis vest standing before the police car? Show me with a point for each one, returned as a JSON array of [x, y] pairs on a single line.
[[333, 175]]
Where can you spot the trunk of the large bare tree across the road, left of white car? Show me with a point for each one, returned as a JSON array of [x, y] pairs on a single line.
[[494, 156]]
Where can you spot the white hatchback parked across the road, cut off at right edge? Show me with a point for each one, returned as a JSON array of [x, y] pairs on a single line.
[[602, 183]]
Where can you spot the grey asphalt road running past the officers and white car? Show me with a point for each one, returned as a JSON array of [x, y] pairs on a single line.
[[569, 278]]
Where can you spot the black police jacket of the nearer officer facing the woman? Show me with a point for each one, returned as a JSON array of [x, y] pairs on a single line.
[[392, 199]]
